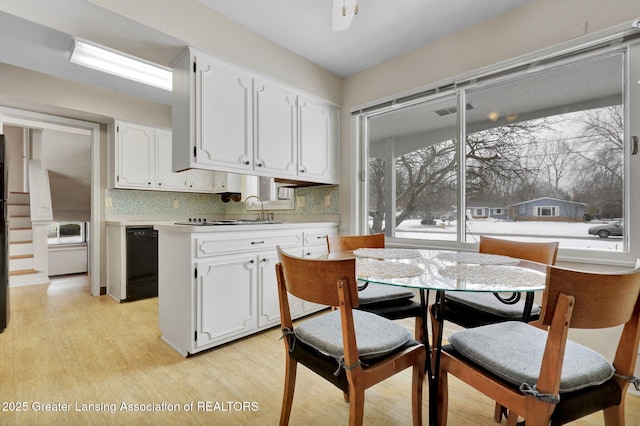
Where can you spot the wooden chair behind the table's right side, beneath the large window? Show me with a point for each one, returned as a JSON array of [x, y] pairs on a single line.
[[469, 309]]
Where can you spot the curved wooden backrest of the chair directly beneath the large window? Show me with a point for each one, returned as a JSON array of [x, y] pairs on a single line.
[[536, 252]]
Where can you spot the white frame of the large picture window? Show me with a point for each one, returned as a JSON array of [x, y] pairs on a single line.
[[630, 49]]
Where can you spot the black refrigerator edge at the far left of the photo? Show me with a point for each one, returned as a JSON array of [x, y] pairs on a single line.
[[4, 236]]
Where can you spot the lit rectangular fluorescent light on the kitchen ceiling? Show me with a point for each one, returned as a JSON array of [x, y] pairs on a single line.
[[117, 63]]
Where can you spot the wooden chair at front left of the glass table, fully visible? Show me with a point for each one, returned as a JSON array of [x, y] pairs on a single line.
[[352, 349]]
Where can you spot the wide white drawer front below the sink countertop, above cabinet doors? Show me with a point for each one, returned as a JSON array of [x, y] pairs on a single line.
[[237, 243]]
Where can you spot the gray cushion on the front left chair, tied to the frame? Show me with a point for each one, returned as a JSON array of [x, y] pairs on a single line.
[[375, 336]]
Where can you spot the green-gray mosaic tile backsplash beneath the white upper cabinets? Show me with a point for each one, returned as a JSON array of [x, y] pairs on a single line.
[[127, 202]]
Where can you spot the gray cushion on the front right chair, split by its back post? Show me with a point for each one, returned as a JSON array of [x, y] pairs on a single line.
[[513, 351]]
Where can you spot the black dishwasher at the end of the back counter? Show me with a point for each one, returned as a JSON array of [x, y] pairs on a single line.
[[142, 263]]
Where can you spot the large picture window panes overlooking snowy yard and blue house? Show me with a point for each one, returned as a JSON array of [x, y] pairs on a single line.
[[543, 157]]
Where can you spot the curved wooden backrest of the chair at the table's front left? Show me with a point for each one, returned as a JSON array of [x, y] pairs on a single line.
[[315, 280]]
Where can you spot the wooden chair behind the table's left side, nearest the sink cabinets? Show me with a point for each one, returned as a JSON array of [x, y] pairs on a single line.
[[387, 301]]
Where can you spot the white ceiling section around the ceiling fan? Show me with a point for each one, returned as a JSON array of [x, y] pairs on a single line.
[[383, 29]]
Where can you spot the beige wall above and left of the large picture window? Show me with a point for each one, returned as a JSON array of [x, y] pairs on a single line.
[[536, 25]]
